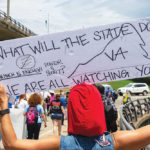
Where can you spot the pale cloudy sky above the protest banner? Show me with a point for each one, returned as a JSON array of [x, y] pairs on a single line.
[[64, 15]]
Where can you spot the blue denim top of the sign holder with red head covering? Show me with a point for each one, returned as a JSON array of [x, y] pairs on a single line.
[[77, 142]]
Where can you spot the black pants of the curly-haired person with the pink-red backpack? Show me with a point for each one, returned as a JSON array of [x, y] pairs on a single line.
[[33, 130]]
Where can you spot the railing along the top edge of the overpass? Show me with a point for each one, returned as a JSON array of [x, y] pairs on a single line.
[[13, 22]]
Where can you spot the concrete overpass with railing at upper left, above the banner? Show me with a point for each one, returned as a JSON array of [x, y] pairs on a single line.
[[11, 29]]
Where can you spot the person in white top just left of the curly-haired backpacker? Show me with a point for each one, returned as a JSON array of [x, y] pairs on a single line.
[[22, 102]]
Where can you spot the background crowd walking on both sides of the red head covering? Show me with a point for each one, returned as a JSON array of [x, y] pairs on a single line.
[[54, 105]]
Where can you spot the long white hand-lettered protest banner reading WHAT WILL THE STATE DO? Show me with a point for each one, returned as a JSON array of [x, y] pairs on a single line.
[[99, 54]]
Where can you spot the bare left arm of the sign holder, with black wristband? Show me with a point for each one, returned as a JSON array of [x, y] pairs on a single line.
[[9, 138]]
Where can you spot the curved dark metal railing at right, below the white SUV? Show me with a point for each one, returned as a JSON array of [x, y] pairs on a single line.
[[133, 113]]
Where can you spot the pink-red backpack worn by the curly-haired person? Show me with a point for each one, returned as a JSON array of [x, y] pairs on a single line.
[[32, 115]]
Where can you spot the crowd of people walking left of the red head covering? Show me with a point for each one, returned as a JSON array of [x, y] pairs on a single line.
[[37, 107]]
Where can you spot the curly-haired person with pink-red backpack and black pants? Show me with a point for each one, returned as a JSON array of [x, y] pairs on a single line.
[[33, 114]]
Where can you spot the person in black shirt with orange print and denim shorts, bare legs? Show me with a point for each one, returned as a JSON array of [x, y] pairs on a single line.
[[56, 109]]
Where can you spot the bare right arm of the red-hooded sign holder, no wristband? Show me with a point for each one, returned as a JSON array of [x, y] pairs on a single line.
[[133, 139]]
